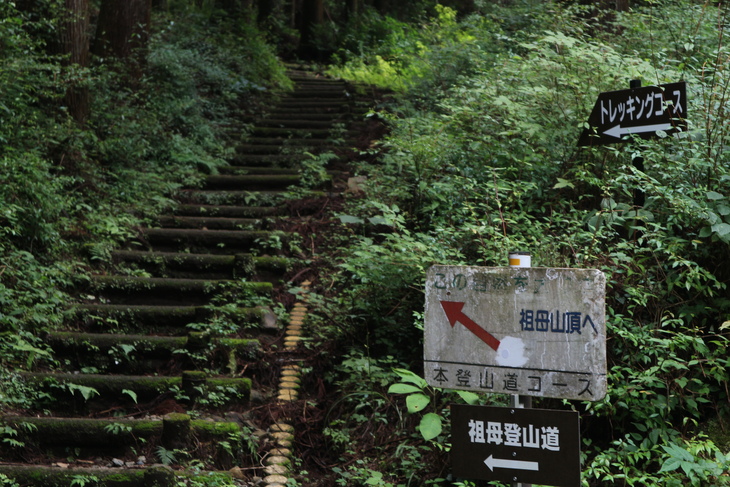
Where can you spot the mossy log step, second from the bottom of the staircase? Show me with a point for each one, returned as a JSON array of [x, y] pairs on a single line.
[[173, 431]]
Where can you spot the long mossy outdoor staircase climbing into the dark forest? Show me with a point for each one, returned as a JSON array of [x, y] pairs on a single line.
[[163, 358]]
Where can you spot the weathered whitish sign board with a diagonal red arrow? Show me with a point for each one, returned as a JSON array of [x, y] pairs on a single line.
[[530, 331]]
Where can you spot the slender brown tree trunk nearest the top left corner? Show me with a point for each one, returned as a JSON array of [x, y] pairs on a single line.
[[74, 42]]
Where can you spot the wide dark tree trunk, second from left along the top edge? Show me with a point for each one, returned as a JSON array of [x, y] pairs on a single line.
[[123, 30]]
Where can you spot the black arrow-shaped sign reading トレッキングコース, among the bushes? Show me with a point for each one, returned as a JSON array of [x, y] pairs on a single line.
[[643, 112]]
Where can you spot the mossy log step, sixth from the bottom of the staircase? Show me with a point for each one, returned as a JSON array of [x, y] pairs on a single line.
[[160, 291]]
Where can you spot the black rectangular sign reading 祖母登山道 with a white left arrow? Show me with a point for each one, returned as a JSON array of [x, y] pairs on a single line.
[[539, 446]]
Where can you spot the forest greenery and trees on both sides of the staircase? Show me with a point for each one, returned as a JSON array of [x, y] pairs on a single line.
[[108, 107]]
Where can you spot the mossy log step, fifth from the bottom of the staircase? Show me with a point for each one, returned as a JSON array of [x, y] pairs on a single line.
[[158, 318]]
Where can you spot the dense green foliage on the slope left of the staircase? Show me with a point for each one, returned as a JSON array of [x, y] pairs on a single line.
[[69, 192]]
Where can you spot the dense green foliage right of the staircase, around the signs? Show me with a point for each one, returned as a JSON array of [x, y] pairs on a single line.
[[482, 160]]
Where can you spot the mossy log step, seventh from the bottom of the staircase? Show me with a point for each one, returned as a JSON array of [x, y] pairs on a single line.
[[202, 266]]
